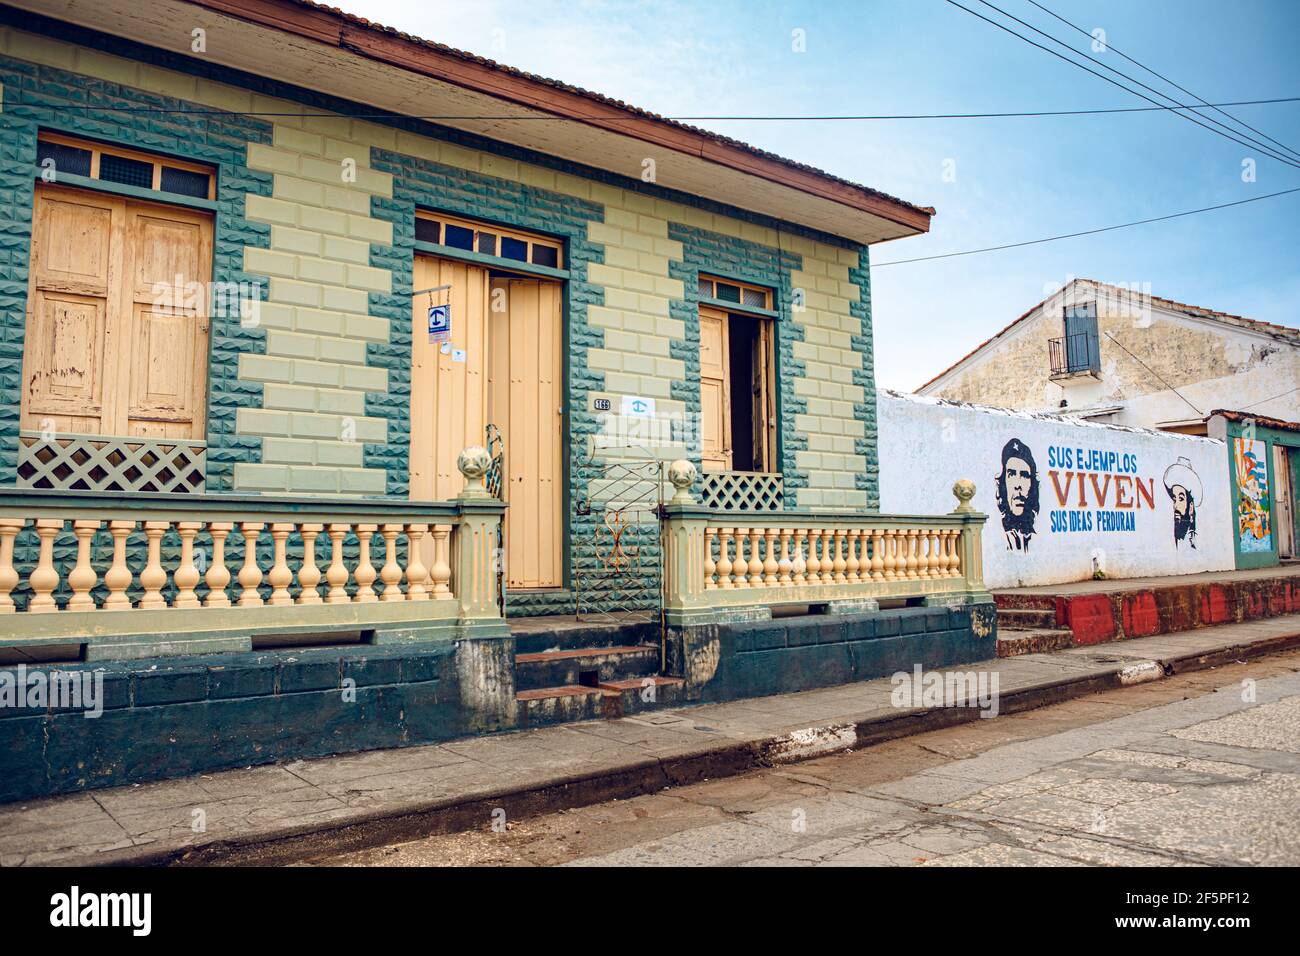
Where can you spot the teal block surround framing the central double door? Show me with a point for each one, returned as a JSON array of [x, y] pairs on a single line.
[[423, 184]]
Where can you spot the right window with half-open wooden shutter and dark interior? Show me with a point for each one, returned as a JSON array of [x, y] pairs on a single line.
[[738, 379]]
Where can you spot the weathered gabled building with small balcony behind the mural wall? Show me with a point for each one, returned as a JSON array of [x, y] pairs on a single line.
[[1121, 356]]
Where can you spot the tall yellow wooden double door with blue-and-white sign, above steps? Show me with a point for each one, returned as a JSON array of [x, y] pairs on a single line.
[[504, 366]]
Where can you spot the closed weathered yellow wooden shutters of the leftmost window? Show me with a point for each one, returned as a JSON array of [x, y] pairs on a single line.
[[118, 331]]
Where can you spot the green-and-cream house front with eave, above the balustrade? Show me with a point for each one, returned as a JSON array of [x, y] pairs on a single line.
[[287, 258]]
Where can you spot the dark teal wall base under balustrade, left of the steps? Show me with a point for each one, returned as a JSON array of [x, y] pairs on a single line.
[[188, 716]]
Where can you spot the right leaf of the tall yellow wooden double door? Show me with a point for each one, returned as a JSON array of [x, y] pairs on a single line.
[[526, 403]]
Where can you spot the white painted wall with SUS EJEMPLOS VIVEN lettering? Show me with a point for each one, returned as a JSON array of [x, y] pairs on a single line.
[[928, 444]]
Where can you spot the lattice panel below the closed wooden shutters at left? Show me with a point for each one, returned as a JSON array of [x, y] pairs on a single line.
[[103, 464]]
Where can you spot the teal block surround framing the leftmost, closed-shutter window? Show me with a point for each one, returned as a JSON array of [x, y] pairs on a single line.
[[41, 98]]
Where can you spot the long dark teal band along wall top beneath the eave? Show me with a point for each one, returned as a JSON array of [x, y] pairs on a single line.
[[184, 64]]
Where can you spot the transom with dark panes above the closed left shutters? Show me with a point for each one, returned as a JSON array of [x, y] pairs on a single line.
[[67, 155]]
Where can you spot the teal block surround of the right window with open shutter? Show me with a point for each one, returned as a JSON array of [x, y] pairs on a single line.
[[743, 261]]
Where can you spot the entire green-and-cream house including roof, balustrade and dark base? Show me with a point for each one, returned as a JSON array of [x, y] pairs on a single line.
[[327, 349]]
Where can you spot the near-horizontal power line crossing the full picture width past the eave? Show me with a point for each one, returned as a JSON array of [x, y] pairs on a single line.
[[834, 118]]
